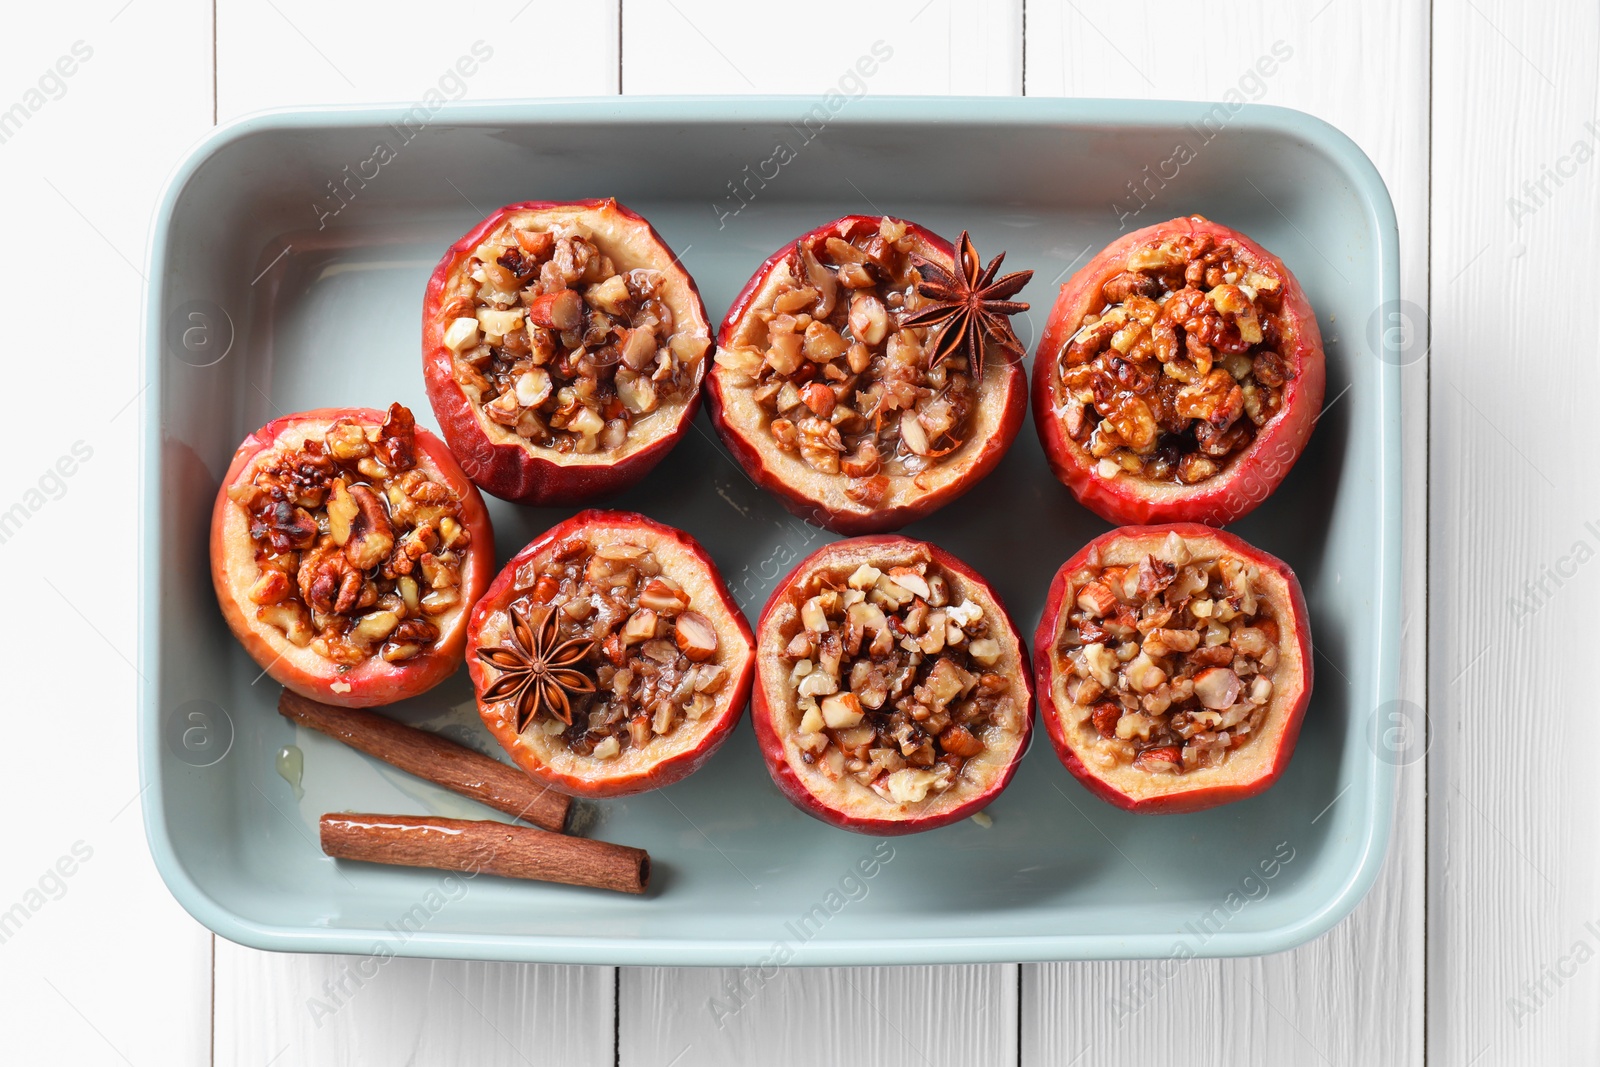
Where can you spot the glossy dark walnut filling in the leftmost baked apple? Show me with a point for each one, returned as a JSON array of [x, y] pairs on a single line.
[[359, 551]]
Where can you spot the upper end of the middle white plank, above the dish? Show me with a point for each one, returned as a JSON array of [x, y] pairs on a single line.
[[903, 47]]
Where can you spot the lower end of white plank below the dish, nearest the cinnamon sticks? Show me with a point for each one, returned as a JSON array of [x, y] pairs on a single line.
[[353, 1012]]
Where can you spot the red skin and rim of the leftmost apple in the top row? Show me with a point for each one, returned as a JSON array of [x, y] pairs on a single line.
[[508, 470]]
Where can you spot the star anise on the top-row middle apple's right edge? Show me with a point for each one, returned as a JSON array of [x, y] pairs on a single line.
[[970, 306]]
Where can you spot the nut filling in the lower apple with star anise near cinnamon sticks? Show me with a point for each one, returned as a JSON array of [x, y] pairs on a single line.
[[646, 665]]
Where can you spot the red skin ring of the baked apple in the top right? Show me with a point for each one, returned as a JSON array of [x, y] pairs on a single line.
[[1255, 473]]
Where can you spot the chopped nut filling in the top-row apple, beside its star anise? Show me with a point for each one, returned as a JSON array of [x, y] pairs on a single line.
[[841, 382]]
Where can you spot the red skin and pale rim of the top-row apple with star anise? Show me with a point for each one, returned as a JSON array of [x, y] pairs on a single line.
[[852, 524]]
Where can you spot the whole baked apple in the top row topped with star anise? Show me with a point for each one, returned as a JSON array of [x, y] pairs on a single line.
[[852, 375]]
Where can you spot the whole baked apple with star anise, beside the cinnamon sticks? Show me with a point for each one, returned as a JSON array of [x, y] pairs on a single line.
[[609, 657]]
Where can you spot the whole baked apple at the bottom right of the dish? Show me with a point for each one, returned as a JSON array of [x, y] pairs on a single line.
[[1174, 668]]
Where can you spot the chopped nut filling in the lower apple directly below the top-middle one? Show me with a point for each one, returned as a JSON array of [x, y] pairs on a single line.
[[895, 682]]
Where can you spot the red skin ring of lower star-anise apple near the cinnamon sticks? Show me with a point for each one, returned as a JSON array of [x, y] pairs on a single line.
[[668, 772]]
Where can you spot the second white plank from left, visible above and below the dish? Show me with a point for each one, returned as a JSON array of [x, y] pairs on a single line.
[[284, 54]]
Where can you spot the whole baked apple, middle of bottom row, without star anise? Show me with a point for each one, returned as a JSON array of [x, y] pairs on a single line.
[[892, 687]]
